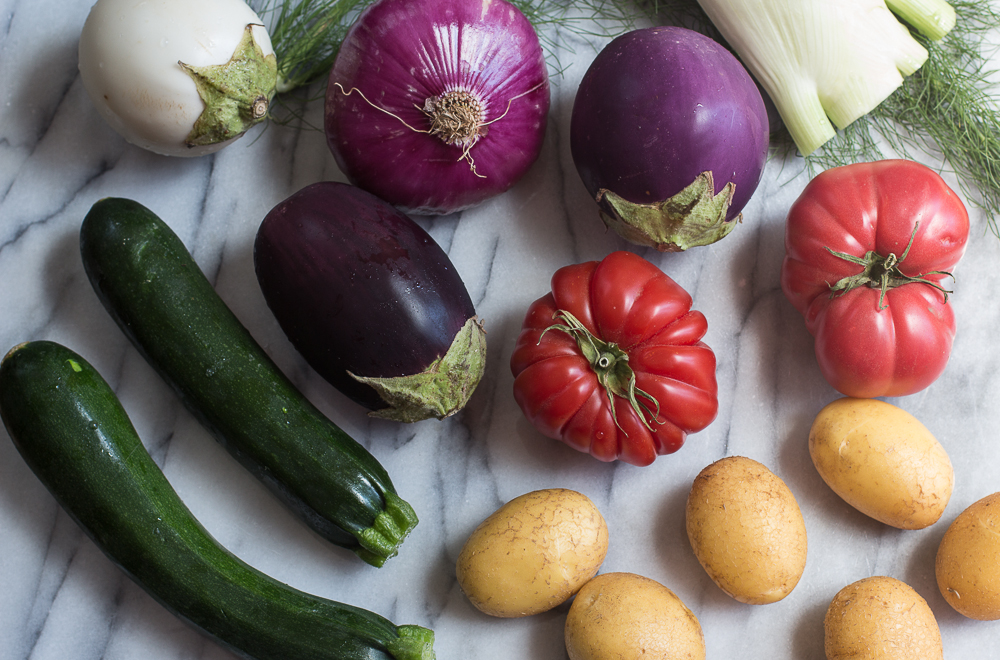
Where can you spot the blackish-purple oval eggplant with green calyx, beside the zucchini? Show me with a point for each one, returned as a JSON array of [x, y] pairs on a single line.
[[371, 302]]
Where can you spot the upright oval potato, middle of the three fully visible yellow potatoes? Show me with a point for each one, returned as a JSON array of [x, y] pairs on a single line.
[[747, 531]]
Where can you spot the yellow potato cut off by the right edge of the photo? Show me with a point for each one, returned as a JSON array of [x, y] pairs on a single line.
[[968, 561]]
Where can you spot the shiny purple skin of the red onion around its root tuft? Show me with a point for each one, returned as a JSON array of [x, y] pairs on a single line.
[[399, 54]]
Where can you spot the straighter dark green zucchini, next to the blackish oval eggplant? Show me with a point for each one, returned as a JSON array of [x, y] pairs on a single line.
[[152, 287]]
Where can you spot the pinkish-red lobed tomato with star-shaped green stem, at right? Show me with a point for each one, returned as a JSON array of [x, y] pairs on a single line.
[[866, 249]]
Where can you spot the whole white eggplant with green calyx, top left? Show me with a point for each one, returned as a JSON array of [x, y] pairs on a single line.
[[178, 77]]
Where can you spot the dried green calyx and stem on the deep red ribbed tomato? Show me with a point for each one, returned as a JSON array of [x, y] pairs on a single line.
[[610, 364]]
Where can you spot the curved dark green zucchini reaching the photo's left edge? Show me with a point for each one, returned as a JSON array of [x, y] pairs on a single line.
[[74, 434]]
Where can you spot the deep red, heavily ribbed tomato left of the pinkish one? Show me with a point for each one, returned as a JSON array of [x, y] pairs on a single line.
[[612, 361]]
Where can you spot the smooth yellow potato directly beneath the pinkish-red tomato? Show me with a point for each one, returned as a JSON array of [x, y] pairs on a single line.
[[882, 461]]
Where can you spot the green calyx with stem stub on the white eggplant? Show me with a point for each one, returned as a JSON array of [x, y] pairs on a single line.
[[236, 94]]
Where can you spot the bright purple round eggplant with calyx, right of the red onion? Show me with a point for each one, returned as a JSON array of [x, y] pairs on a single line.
[[669, 134]]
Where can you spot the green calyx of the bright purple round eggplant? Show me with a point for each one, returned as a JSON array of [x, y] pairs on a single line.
[[694, 216]]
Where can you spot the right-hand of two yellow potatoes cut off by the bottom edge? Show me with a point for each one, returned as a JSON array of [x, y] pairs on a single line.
[[881, 618]]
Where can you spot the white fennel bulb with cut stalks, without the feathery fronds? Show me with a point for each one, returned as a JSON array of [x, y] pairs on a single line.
[[824, 61]]
